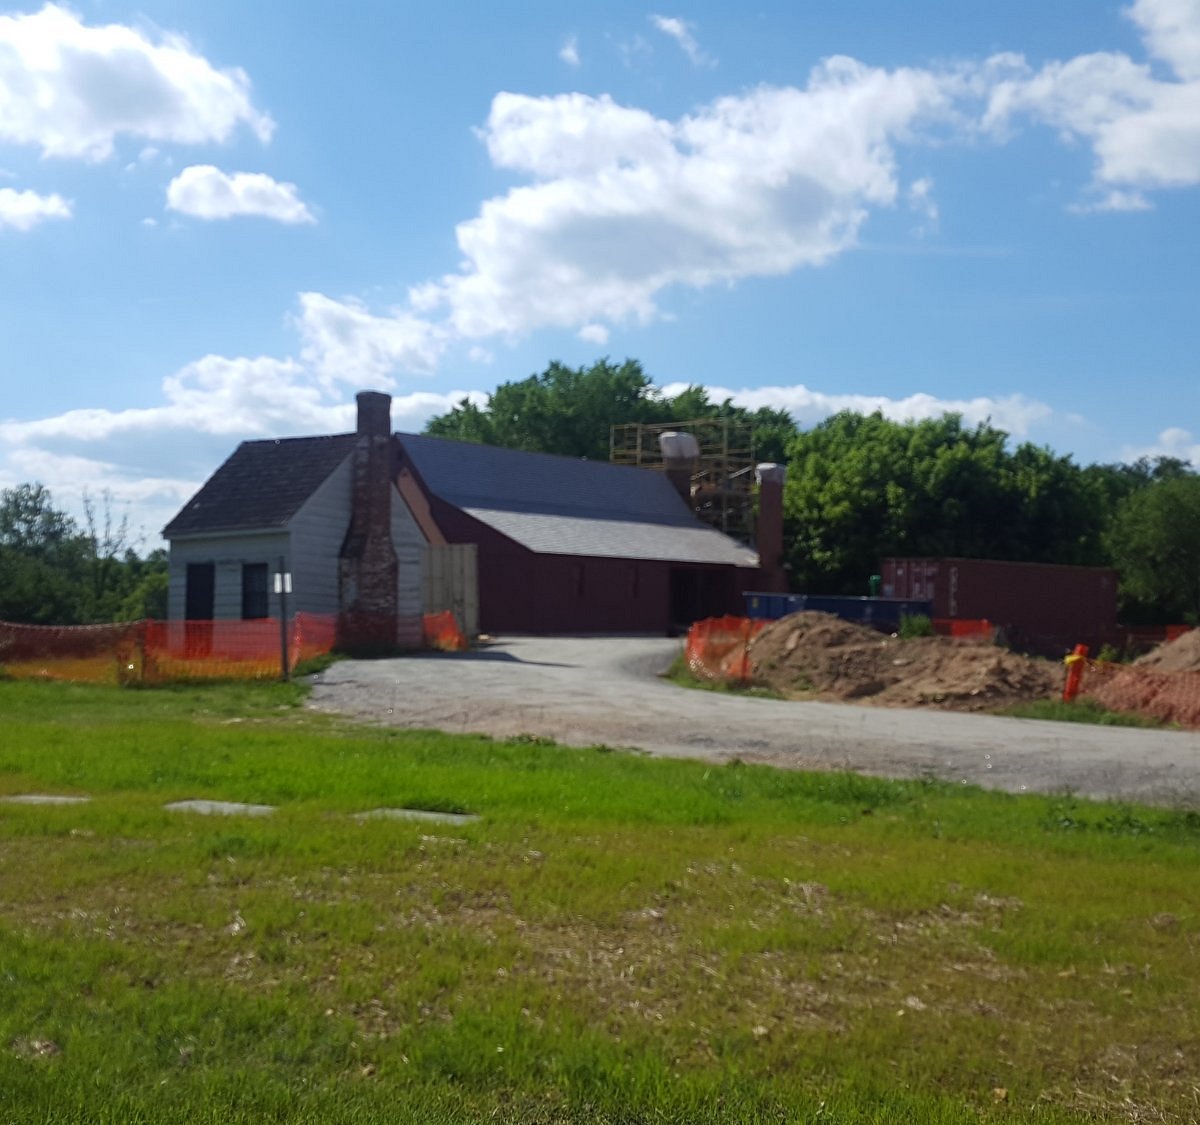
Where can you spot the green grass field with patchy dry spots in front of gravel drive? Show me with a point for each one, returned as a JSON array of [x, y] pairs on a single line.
[[617, 940]]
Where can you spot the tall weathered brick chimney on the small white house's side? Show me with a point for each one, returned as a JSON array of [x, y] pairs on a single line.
[[368, 568]]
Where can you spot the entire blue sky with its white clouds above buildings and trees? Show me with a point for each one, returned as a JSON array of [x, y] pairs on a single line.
[[221, 220]]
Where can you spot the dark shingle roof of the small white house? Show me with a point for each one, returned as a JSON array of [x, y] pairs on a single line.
[[262, 486]]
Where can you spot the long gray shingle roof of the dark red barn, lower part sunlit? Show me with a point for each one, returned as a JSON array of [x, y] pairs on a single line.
[[565, 506]]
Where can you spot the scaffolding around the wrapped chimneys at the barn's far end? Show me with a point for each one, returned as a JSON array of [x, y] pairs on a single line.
[[723, 486]]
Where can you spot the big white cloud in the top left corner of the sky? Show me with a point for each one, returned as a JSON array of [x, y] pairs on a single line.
[[71, 89]]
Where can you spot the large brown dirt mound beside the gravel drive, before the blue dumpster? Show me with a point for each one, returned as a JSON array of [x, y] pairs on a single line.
[[820, 657]]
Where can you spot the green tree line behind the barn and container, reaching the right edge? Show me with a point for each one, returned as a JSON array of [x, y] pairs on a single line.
[[863, 488]]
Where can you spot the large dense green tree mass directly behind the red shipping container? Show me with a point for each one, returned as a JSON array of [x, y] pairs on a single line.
[[863, 488]]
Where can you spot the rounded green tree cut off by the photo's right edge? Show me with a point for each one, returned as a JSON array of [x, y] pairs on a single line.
[[1155, 543]]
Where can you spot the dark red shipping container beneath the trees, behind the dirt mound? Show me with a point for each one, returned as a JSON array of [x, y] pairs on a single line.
[[1045, 609]]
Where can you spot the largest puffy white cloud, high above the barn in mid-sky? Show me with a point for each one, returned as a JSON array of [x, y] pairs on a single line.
[[625, 204]]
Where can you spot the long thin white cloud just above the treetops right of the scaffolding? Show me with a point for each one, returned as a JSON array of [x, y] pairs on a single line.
[[1016, 414]]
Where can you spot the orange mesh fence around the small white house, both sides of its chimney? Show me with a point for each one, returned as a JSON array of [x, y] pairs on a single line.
[[161, 652]]
